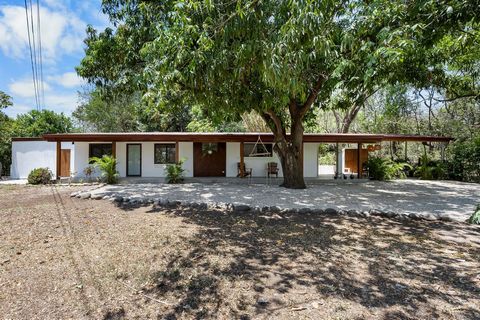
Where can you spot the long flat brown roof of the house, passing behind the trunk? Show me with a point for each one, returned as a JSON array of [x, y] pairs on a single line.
[[236, 137]]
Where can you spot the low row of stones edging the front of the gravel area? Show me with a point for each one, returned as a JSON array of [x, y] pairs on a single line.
[[244, 208]]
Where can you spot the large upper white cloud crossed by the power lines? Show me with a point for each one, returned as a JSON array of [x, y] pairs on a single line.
[[62, 32]]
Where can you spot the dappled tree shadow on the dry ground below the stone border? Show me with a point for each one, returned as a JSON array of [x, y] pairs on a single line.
[[263, 265]]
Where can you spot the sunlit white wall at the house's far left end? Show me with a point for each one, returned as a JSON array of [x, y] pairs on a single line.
[[28, 155]]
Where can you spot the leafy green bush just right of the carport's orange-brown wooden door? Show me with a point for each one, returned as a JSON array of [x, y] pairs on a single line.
[[386, 169]]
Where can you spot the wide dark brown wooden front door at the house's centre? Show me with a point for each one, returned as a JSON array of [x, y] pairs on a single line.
[[209, 159]]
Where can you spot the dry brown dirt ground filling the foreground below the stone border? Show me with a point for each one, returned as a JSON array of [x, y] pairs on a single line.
[[66, 258]]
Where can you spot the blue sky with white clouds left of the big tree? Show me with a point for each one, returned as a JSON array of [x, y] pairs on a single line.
[[63, 24]]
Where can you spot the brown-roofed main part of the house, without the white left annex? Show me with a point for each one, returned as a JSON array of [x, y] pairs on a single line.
[[228, 155]]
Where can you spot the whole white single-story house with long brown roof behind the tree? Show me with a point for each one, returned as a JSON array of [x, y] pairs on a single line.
[[204, 154]]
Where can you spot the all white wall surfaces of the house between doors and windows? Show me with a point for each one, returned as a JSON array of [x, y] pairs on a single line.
[[27, 155]]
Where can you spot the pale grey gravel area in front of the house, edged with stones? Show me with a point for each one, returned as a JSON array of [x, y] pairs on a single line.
[[440, 198]]
